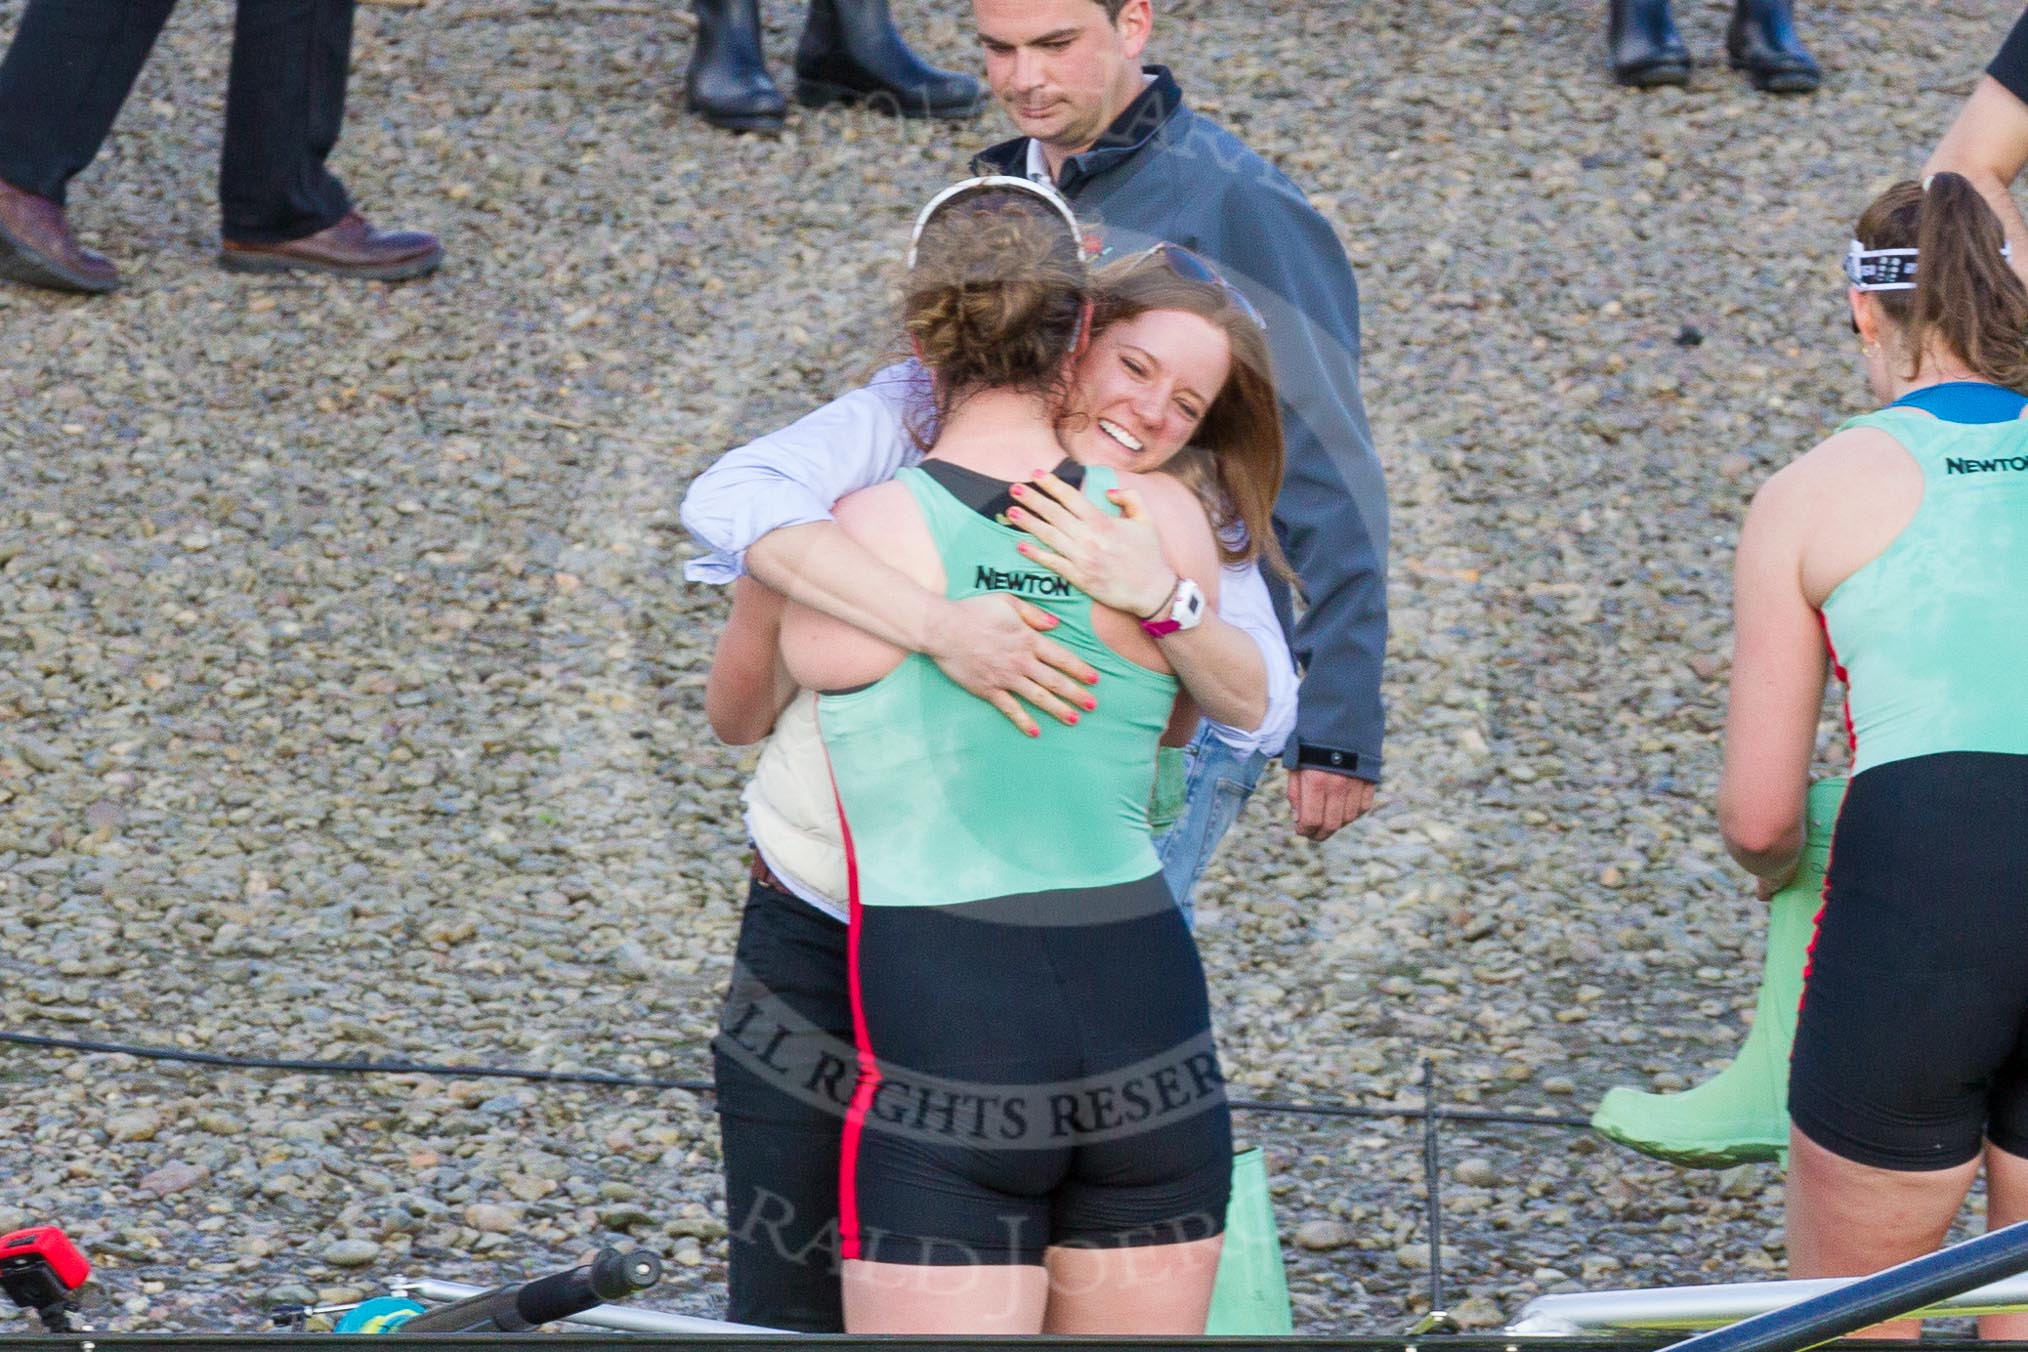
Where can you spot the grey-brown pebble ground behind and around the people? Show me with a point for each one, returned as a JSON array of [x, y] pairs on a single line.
[[352, 702]]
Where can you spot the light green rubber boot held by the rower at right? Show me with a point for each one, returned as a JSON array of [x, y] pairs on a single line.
[[1741, 1116]]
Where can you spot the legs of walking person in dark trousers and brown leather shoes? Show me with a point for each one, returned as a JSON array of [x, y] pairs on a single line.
[[70, 70]]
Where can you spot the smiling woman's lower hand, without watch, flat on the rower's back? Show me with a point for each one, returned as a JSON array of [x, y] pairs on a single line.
[[995, 648]]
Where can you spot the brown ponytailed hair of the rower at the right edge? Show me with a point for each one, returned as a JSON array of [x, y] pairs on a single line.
[[1964, 295]]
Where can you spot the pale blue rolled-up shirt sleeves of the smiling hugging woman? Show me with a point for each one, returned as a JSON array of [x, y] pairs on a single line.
[[796, 475]]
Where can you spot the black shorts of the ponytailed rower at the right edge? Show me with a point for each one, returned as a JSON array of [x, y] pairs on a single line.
[[1911, 1043]]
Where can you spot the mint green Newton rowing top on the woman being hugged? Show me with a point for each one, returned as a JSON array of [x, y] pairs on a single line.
[[944, 800]]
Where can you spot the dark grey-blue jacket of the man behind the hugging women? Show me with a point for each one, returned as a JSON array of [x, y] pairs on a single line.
[[1165, 173]]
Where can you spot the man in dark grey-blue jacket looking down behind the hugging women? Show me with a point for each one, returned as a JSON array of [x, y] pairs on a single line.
[[1127, 151]]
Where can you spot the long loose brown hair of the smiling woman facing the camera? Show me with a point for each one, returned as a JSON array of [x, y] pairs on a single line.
[[1234, 465]]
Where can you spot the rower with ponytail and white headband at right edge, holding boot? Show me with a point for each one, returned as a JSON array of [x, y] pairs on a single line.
[[1897, 556]]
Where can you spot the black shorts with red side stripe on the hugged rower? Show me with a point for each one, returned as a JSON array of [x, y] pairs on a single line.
[[1043, 1075]]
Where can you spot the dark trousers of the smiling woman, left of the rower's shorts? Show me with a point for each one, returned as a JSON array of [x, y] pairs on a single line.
[[782, 1063]]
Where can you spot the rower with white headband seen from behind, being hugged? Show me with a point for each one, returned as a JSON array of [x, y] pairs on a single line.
[[1037, 1134]]
